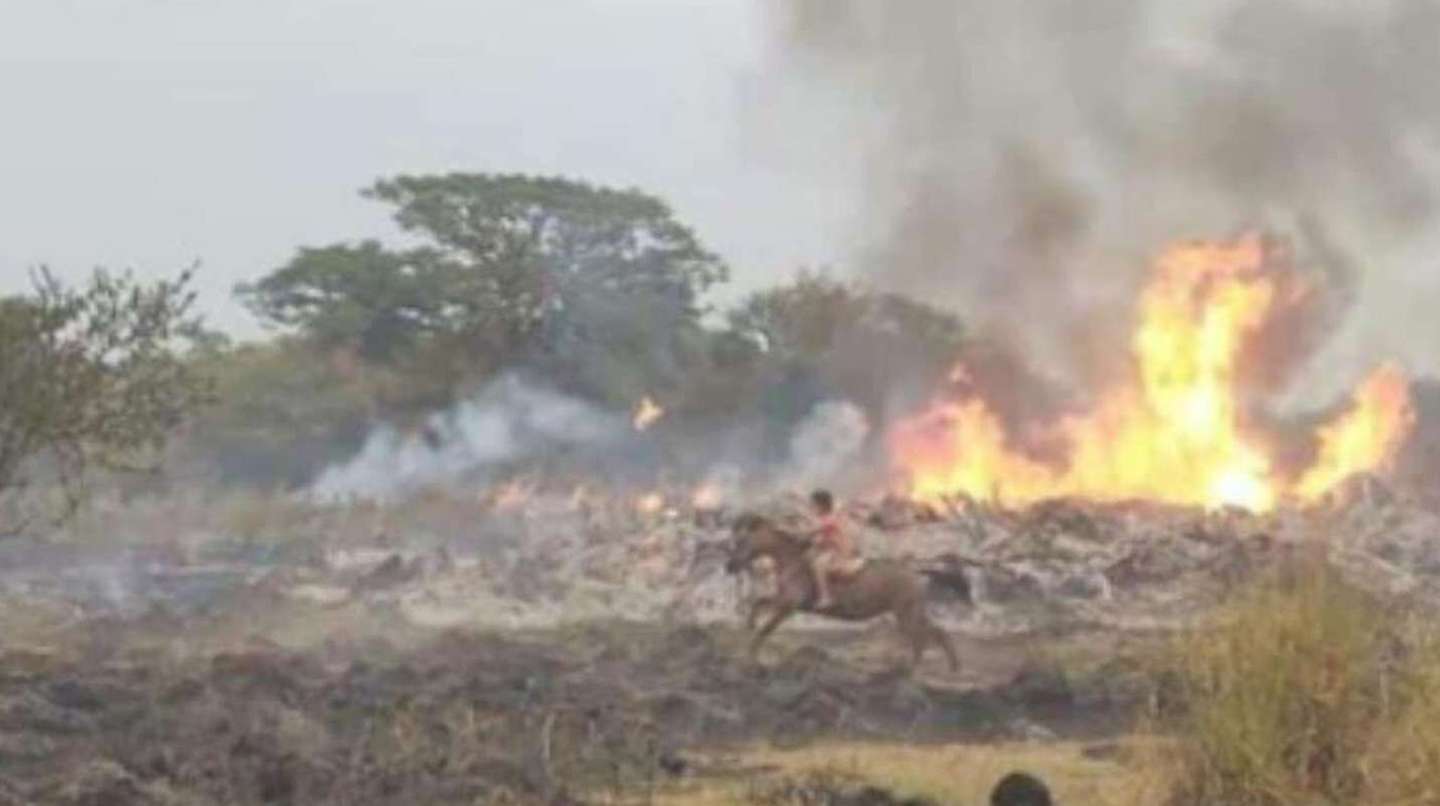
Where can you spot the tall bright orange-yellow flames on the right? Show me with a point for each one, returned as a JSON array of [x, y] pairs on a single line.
[[1177, 431]]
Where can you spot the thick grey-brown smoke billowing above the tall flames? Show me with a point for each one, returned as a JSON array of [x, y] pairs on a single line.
[[1023, 160]]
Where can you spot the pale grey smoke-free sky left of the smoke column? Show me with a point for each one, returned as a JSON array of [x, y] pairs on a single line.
[[156, 135]]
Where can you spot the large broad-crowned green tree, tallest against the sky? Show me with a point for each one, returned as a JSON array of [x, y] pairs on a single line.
[[512, 270]]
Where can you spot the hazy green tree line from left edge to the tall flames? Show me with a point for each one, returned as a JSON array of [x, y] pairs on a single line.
[[600, 291]]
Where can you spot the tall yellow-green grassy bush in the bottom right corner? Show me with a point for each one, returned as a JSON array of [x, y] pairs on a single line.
[[1307, 692]]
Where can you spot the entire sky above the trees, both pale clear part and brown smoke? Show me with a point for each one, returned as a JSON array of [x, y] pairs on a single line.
[[1019, 160]]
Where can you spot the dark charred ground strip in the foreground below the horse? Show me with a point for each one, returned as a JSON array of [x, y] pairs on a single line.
[[597, 712]]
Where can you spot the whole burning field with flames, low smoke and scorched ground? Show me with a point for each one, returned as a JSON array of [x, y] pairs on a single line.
[[526, 602]]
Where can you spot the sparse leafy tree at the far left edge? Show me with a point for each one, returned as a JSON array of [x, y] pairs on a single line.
[[90, 381]]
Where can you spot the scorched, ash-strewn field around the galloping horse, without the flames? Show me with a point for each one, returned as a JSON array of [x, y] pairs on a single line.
[[276, 653]]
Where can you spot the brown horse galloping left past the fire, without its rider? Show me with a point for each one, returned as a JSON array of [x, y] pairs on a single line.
[[879, 588]]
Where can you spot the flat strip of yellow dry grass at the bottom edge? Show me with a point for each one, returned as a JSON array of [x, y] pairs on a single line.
[[947, 774]]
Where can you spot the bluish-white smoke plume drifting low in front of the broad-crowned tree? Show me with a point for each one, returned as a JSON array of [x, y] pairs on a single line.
[[508, 421]]
